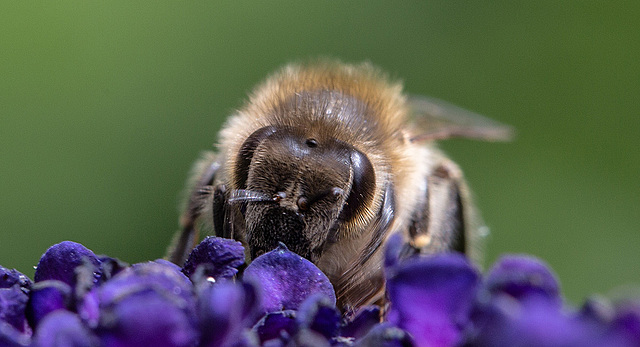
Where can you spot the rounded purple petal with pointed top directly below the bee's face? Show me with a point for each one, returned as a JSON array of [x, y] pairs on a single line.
[[286, 280]]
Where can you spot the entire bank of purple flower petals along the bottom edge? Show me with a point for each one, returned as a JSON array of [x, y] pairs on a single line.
[[439, 300]]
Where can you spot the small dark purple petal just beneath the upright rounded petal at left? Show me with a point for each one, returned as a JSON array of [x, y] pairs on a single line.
[[46, 297]]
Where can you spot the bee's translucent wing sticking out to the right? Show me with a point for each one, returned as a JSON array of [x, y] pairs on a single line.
[[437, 119]]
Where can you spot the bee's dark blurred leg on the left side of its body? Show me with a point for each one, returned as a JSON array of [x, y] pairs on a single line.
[[201, 189]]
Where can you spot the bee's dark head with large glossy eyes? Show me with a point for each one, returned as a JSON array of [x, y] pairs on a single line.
[[314, 184]]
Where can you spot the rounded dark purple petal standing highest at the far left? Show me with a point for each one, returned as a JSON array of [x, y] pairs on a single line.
[[60, 261]]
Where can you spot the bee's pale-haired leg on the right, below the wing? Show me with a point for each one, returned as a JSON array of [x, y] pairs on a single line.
[[439, 224]]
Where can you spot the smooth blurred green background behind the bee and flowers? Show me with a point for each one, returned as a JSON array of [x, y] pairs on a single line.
[[104, 106]]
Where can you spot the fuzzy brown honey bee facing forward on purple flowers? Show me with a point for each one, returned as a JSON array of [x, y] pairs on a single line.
[[331, 159]]
